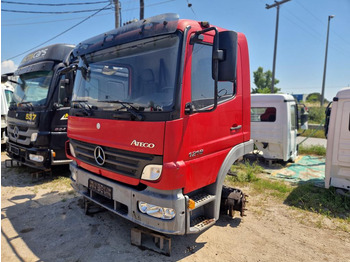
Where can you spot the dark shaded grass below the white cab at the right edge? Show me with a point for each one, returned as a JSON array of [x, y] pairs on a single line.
[[320, 200]]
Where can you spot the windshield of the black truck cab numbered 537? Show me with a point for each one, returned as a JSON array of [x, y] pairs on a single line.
[[33, 88]]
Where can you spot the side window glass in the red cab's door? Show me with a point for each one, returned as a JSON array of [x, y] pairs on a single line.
[[201, 79]]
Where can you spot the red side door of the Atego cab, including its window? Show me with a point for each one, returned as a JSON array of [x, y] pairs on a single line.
[[209, 136]]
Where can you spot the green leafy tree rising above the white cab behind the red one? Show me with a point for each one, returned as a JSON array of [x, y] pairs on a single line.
[[263, 80]]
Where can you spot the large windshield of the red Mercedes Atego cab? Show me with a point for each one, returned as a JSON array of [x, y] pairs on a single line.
[[141, 75]]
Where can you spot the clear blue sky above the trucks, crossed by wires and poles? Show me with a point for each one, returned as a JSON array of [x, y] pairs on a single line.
[[301, 35]]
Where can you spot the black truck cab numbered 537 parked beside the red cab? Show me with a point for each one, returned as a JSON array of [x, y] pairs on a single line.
[[38, 113]]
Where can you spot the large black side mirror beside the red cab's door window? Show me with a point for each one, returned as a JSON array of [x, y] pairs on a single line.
[[227, 56]]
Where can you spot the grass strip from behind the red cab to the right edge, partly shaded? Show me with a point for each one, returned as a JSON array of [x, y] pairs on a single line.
[[305, 197]]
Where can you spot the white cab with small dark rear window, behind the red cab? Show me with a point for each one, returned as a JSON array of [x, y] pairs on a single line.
[[274, 119]]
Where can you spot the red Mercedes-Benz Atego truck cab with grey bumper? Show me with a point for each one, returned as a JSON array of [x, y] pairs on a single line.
[[160, 112]]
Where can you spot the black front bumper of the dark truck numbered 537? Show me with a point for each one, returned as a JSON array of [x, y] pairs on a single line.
[[21, 154]]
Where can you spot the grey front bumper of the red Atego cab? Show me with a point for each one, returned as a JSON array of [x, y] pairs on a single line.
[[125, 200]]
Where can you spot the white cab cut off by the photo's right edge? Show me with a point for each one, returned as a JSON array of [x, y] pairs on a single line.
[[337, 172]]
